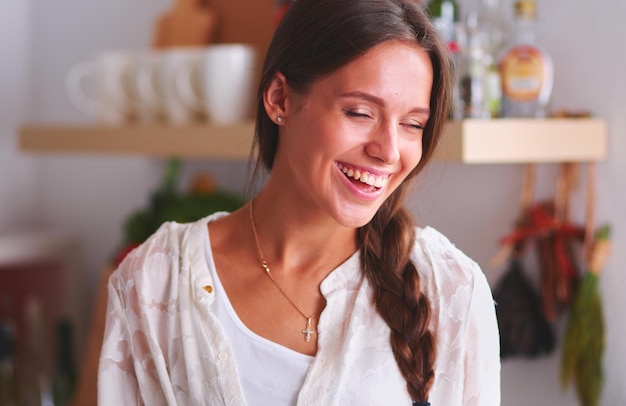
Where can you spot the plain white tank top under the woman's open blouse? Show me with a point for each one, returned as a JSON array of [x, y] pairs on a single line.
[[270, 374]]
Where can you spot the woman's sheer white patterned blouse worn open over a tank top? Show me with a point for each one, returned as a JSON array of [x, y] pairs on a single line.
[[163, 344]]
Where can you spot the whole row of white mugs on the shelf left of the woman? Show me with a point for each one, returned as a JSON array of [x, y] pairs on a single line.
[[177, 85]]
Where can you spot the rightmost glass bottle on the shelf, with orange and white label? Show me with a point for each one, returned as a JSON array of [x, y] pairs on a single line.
[[526, 70]]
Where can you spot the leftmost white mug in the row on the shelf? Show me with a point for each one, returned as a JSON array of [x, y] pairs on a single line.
[[101, 88]]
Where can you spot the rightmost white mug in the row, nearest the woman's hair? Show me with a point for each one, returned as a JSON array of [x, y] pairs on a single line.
[[221, 85]]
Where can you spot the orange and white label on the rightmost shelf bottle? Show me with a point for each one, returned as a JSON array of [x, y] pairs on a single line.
[[522, 72]]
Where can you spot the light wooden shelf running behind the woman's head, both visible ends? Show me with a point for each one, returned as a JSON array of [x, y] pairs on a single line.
[[467, 141]]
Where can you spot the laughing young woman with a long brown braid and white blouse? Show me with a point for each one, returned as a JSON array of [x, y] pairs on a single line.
[[320, 290]]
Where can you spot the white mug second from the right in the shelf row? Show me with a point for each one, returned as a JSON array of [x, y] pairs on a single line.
[[172, 61]]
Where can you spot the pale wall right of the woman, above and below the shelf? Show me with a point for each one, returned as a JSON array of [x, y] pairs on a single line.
[[475, 205]]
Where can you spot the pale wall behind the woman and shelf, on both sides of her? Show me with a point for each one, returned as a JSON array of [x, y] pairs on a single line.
[[474, 205]]
